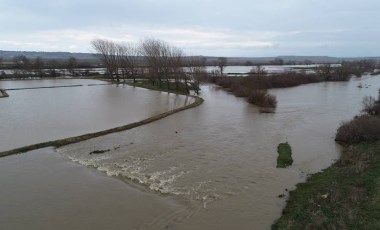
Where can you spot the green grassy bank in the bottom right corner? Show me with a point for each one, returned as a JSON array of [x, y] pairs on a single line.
[[344, 196]]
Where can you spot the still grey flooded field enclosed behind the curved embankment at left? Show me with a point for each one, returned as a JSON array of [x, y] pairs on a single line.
[[37, 115]]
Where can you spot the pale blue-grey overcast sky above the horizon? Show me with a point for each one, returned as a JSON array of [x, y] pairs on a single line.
[[200, 27]]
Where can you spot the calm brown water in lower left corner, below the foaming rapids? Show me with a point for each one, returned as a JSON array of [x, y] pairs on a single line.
[[41, 190]]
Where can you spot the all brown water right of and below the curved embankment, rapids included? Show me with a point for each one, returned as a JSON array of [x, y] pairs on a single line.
[[211, 167]]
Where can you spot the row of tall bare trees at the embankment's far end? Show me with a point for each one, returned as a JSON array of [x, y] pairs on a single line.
[[152, 59]]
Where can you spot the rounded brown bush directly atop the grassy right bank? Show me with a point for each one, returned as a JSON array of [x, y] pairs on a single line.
[[360, 129]]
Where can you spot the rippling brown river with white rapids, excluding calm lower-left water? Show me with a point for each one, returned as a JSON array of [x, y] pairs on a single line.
[[219, 160]]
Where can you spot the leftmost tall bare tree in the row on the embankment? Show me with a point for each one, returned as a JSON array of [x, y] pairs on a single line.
[[108, 52]]
